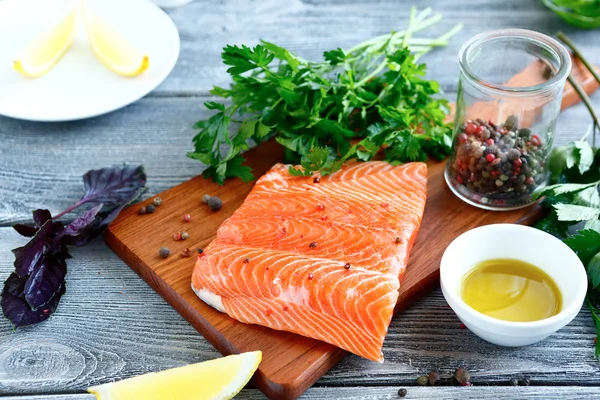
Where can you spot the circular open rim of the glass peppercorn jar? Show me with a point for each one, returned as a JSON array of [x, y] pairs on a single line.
[[537, 38]]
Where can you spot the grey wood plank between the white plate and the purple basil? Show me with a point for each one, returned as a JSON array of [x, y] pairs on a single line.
[[41, 164]]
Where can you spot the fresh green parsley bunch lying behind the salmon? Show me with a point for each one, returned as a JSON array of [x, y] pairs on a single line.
[[352, 105]]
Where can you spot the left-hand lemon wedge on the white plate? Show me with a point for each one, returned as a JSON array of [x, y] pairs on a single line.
[[48, 48]]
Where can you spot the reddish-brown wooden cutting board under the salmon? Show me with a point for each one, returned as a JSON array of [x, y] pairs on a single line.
[[291, 363]]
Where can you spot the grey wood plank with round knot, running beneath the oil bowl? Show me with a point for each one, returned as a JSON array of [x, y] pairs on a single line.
[[111, 326]]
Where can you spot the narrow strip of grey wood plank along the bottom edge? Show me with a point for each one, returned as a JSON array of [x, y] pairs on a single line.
[[391, 392]]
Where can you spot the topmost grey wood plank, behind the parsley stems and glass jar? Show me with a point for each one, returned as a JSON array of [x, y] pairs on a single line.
[[312, 26]]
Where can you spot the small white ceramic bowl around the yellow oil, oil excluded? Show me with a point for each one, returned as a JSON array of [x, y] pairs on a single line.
[[523, 243]]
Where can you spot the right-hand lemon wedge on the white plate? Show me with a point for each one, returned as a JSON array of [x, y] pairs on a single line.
[[114, 50]]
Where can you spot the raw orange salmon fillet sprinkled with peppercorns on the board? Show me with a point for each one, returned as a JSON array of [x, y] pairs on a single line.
[[320, 256]]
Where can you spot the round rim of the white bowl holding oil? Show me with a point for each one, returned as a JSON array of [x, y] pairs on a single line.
[[568, 311]]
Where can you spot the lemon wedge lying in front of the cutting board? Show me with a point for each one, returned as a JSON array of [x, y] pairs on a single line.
[[217, 379]]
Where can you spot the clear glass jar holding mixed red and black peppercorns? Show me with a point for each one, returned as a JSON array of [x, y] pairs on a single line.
[[509, 96]]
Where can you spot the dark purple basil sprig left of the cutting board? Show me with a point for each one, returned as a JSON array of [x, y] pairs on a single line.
[[32, 292]]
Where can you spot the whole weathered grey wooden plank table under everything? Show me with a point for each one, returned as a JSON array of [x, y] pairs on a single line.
[[110, 325]]
